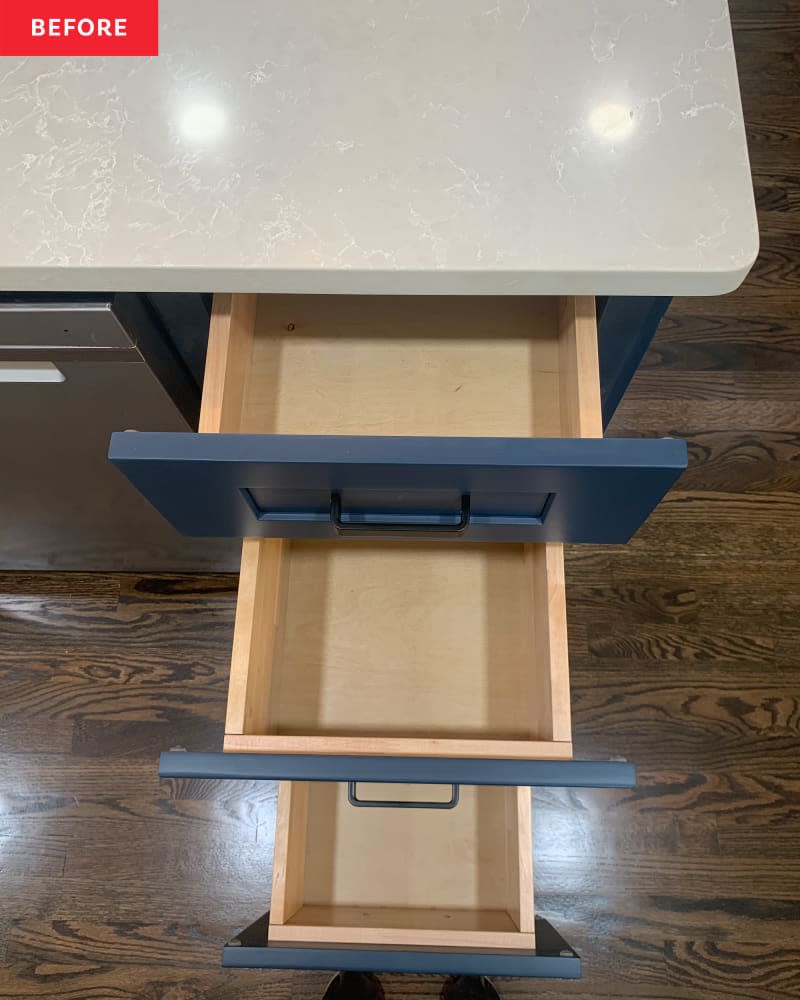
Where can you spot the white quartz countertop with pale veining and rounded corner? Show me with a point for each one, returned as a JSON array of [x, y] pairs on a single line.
[[386, 146]]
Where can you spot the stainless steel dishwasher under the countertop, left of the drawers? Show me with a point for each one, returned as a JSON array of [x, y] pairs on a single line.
[[72, 370]]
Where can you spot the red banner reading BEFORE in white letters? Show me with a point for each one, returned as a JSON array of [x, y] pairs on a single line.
[[78, 27]]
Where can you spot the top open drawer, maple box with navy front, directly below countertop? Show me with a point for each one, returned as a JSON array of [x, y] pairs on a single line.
[[461, 419]]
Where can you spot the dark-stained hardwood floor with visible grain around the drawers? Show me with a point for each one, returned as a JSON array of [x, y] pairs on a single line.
[[685, 650]]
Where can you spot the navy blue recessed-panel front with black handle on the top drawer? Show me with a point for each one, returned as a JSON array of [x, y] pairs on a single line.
[[472, 489]]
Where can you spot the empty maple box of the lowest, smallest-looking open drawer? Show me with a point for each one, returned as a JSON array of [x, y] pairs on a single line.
[[349, 876]]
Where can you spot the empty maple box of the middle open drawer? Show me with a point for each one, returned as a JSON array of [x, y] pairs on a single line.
[[400, 649]]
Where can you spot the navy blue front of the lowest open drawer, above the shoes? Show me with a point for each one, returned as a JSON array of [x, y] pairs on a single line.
[[553, 958]]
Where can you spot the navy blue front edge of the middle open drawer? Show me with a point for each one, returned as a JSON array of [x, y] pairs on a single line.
[[411, 770]]
